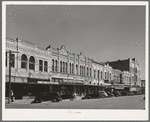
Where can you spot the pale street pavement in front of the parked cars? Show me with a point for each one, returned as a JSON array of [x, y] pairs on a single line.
[[123, 102]]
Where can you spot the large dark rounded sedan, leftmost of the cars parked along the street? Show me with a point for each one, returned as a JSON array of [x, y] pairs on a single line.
[[47, 96]]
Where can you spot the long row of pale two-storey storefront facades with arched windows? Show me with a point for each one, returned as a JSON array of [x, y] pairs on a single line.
[[34, 69]]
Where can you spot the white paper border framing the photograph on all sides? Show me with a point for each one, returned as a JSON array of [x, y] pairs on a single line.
[[82, 114]]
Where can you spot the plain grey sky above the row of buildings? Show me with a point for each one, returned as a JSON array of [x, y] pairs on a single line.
[[102, 33]]
